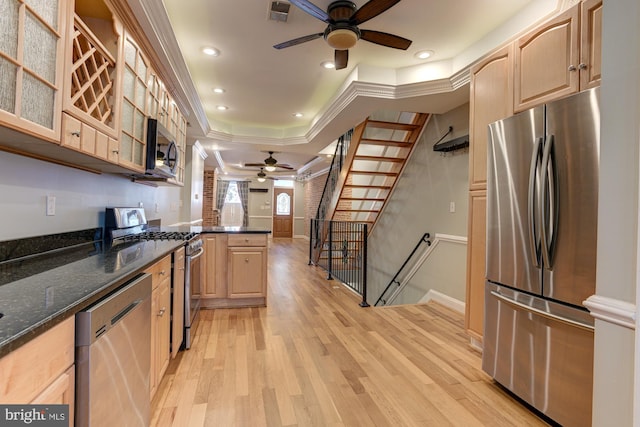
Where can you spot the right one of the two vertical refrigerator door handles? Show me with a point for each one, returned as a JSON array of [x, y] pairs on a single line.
[[549, 213]]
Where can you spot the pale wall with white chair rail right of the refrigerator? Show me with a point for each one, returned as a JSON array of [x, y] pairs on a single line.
[[617, 348]]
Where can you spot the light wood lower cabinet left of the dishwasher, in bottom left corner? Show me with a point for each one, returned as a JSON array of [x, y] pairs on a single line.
[[42, 370]]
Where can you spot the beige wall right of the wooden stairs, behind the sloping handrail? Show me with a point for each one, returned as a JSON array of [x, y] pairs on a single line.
[[420, 203]]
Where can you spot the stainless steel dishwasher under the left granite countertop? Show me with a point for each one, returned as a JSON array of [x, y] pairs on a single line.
[[113, 345]]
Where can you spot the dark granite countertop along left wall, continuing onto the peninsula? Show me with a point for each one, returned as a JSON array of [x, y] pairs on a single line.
[[69, 272]]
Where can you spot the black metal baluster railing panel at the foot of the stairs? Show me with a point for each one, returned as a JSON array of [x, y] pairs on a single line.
[[345, 246]]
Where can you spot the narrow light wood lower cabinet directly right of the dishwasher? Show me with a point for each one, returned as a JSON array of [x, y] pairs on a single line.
[[160, 321]]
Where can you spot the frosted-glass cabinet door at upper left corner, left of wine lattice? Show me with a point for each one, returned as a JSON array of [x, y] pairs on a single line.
[[31, 66]]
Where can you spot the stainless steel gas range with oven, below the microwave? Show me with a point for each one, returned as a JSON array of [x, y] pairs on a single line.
[[124, 227]]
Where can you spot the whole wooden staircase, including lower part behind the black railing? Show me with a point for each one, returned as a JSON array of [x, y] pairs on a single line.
[[377, 154]]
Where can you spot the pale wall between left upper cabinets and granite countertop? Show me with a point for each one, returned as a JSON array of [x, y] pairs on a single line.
[[81, 198]]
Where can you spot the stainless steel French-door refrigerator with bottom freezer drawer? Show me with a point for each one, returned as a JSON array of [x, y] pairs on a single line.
[[542, 196]]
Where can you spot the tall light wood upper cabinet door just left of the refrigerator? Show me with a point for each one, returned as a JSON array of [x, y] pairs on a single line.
[[491, 99]]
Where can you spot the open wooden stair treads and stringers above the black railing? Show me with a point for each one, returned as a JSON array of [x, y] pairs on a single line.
[[377, 155]]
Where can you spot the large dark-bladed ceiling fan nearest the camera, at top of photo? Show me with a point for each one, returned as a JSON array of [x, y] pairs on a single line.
[[342, 32]]
